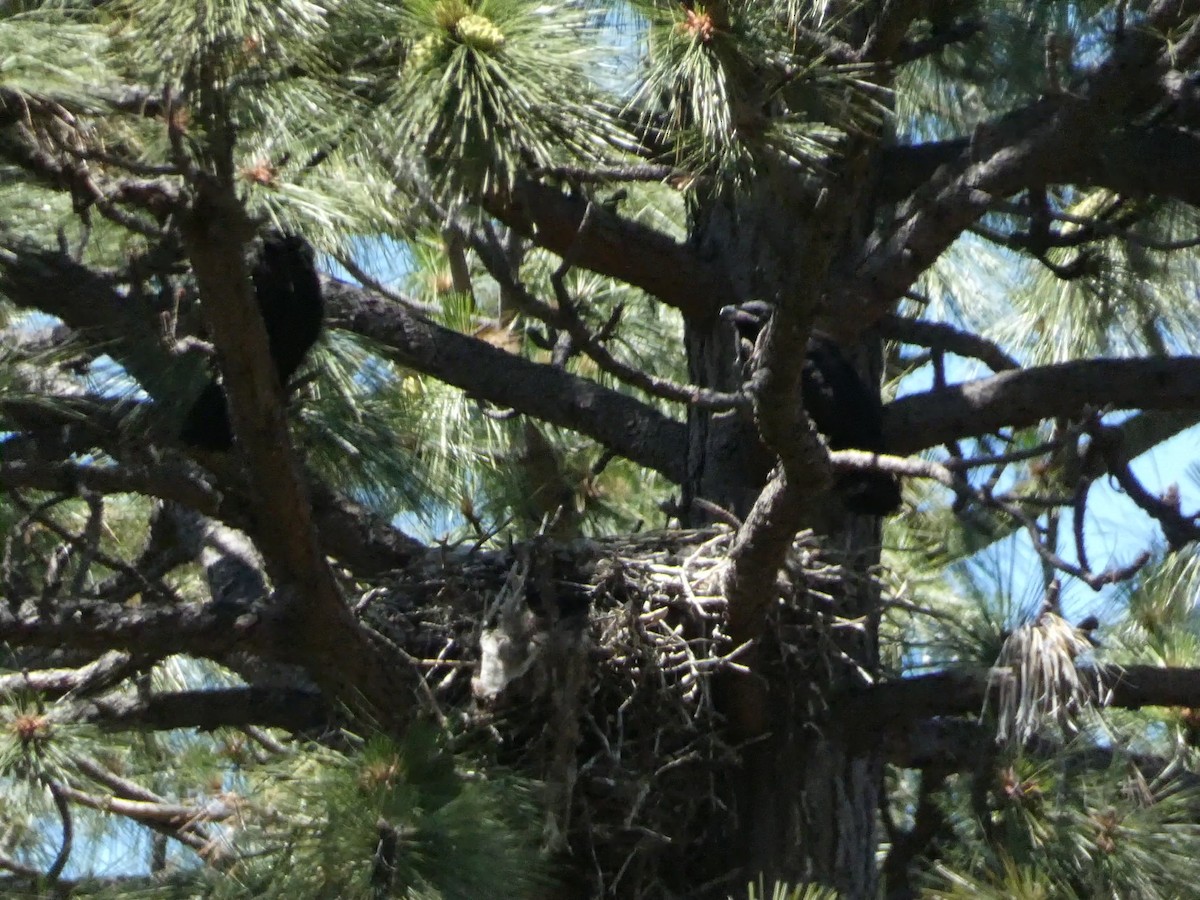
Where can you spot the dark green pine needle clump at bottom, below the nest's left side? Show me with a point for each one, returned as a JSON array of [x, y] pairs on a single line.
[[403, 820]]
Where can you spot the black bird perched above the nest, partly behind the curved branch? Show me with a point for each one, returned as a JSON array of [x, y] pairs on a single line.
[[842, 406]]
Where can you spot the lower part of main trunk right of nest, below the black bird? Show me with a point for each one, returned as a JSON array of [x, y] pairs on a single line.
[[807, 794]]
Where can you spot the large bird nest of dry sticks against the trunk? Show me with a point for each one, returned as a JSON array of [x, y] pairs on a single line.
[[591, 667]]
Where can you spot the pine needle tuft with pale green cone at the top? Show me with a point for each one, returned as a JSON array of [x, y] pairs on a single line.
[[476, 94]]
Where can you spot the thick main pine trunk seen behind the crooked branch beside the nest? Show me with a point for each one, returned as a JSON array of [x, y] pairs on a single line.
[[805, 800]]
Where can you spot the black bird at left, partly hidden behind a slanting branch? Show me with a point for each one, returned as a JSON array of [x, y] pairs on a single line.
[[289, 293]]
